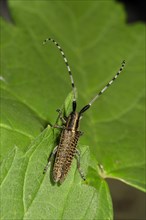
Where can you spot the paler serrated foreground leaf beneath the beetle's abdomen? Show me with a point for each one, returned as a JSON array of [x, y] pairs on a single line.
[[26, 189]]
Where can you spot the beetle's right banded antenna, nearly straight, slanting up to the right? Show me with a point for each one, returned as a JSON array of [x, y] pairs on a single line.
[[103, 90]]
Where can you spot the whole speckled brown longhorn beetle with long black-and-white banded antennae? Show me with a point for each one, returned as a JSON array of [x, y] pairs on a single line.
[[65, 151]]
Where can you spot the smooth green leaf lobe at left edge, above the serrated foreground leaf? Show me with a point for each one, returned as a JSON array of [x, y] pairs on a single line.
[[19, 124]]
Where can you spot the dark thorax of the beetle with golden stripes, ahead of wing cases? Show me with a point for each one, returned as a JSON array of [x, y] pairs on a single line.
[[73, 121]]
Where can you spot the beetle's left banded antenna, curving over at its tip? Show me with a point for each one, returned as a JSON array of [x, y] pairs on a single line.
[[68, 68]]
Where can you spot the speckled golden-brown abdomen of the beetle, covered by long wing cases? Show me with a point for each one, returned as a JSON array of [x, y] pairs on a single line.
[[65, 154]]
